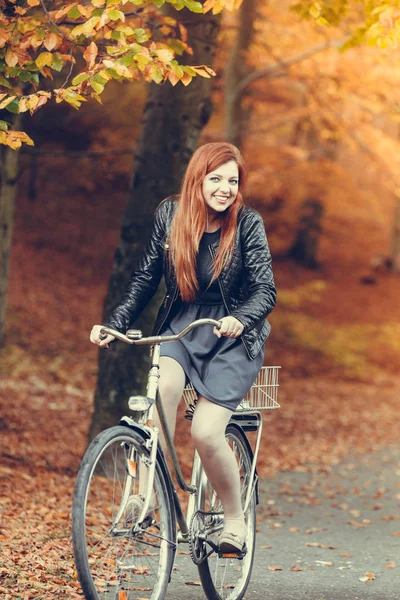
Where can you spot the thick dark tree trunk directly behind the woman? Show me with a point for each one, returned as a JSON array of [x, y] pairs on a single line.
[[172, 121]]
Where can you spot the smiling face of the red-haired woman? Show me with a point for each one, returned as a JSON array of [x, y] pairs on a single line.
[[220, 188]]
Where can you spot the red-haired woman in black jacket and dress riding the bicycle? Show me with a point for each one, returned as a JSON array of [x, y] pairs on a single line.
[[214, 255]]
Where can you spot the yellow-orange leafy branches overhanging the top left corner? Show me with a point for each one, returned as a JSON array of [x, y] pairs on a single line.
[[38, 48]]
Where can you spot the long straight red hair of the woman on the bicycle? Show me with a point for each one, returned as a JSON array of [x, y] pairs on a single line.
[[190, 219]]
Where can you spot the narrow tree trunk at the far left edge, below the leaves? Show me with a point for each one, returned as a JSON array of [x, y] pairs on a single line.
[[8, 188]]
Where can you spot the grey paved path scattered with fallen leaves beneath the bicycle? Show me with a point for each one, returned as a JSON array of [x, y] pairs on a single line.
[[326, 531]]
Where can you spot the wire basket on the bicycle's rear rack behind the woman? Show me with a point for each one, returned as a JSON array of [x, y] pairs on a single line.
[[262, 395]]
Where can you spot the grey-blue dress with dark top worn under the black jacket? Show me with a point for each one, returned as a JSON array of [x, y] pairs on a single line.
[[218, 368]]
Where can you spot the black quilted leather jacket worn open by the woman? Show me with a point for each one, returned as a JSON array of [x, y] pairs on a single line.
[[247, 283]]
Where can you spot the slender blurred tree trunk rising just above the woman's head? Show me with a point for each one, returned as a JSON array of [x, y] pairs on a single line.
[[236, 69]]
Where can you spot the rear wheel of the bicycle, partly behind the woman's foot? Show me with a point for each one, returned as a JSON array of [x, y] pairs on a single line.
[[228, 578]]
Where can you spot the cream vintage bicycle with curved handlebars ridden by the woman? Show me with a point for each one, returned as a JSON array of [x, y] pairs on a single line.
[[126, 509]]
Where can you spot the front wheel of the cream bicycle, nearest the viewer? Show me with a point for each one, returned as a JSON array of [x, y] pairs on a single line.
[[115, 558]]
